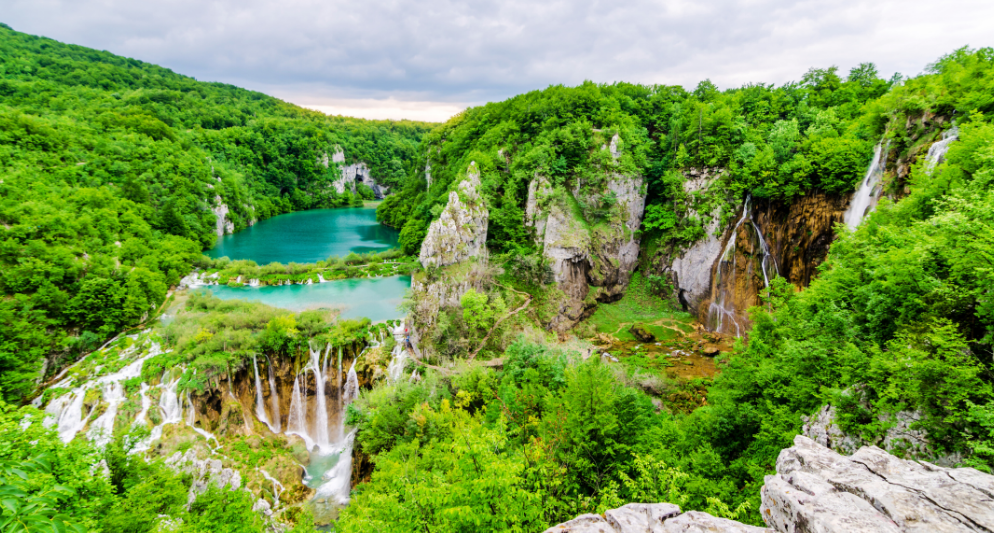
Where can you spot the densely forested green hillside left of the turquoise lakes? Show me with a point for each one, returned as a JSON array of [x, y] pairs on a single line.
[[113, 175]]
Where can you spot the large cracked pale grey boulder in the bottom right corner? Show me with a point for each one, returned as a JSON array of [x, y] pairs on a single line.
[[816, 489]]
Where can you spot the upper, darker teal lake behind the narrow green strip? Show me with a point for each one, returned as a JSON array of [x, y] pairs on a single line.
[[308, 236]]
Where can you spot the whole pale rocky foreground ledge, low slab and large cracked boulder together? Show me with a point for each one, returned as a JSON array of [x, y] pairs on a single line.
[[817, 490]]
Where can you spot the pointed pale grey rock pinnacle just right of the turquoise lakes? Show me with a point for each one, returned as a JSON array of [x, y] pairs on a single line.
[[461, 230]]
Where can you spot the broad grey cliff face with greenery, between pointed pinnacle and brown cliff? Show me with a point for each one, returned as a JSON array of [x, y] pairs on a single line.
[[588, 250]]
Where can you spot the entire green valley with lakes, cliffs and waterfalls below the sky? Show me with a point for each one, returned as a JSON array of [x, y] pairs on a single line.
[[224, 312]]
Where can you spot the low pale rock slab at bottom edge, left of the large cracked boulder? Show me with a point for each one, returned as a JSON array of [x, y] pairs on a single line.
[[652, 518]]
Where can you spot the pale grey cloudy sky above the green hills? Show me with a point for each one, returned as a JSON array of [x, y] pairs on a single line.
[[428, 59]]
